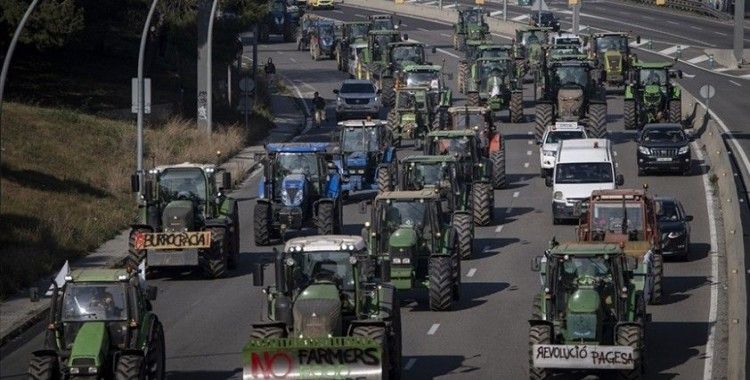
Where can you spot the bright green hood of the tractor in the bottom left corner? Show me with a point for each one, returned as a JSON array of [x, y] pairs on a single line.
[[90, 346]]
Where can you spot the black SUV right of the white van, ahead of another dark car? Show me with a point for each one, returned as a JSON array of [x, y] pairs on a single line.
[[663, 147]]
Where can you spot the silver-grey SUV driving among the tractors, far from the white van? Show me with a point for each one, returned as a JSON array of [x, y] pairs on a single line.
[[357, 99]]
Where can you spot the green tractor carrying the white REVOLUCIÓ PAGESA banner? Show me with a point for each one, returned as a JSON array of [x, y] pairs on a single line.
[[589, 313]]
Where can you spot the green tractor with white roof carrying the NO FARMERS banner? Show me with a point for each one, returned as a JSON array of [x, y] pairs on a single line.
[[326, 316]]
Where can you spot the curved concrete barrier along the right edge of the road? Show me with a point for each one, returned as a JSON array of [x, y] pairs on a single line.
[[711, 138]]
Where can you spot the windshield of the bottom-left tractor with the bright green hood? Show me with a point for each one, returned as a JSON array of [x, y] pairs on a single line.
[[86, 302]]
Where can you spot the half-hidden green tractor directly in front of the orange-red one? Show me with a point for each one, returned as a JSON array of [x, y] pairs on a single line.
[[479, 170]]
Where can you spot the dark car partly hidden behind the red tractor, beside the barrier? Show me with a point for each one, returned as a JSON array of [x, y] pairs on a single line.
[[674, 225]]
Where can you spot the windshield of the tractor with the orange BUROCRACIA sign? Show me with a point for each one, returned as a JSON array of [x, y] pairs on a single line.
[[182, 183]]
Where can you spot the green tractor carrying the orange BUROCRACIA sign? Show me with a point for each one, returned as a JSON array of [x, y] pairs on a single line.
[[186, 219]]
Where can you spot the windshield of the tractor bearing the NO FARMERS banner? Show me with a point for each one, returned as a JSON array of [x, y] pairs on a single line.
[[327, 266]]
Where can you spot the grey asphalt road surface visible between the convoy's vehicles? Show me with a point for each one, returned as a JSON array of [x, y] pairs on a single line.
[[208, 321]]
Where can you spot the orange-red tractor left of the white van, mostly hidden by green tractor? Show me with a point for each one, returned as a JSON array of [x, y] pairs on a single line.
[[490, 140]]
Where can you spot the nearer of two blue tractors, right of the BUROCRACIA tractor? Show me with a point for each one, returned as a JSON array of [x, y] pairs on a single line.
[[301, 187]]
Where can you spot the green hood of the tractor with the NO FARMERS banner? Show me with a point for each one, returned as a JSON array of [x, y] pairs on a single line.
[[317, 311]]
